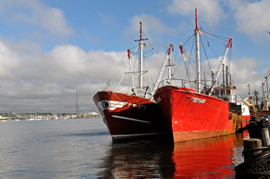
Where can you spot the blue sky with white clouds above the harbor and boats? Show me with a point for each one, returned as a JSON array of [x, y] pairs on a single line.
[[50, 48]]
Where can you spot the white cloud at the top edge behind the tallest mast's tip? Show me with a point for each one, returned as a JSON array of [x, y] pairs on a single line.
[[209, 11]]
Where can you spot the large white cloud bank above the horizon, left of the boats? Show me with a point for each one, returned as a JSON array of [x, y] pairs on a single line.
[[46, 81]]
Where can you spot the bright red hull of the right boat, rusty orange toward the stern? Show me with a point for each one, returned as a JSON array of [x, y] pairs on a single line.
[[192, 115]]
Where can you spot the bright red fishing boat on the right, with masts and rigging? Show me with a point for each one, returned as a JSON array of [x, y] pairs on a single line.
[[201, 112]]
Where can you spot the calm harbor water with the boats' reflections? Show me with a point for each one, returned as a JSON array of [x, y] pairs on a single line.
[[82, 148]]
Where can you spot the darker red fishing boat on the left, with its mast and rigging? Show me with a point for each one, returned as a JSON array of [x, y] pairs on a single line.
[[131, 112]]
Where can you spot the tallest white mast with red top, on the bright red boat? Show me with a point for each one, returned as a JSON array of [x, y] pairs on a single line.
[[198, 65]]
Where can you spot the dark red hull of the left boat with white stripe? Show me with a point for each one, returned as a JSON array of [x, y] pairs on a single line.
[[131, 117]]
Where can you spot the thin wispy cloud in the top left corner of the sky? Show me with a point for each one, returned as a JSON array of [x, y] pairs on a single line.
[[37, 14]]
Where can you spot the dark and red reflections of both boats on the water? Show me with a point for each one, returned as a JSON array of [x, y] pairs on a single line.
[[207, 158]]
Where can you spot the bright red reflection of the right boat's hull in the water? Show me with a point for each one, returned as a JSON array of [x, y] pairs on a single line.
[[209, 158]]
